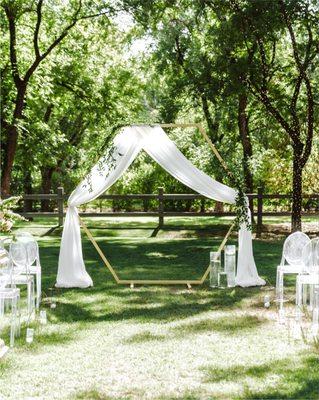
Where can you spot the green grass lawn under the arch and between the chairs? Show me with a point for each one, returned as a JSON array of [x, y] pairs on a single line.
[[113, 342]]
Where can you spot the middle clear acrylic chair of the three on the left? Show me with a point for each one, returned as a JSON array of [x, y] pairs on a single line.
[[20, 272]]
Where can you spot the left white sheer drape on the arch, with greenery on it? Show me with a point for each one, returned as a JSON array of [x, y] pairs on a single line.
[[71, 270]]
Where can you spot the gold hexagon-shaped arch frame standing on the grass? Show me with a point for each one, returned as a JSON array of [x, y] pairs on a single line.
[[187, 282]]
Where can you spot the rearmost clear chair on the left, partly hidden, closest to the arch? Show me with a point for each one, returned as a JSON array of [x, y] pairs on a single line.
[[33, 265]]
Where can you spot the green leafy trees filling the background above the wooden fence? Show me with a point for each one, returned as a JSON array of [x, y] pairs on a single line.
[[246, 69]]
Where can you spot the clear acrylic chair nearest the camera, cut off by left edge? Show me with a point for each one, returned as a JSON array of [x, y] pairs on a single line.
[[9, 294]]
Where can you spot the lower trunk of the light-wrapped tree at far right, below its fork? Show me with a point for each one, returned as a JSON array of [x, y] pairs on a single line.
[[297, 190]]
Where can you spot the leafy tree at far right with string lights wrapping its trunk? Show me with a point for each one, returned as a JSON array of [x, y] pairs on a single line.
[[281, 39]]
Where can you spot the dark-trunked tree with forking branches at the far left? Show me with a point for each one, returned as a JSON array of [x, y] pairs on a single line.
[[22, 70]]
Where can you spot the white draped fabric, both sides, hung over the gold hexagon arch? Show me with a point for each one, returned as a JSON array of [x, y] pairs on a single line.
[[126, 146]]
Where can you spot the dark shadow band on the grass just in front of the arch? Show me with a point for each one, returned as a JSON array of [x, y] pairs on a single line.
[[169, 307]]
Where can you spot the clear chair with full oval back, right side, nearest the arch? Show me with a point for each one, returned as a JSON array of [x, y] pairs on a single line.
[[291, 262]]
